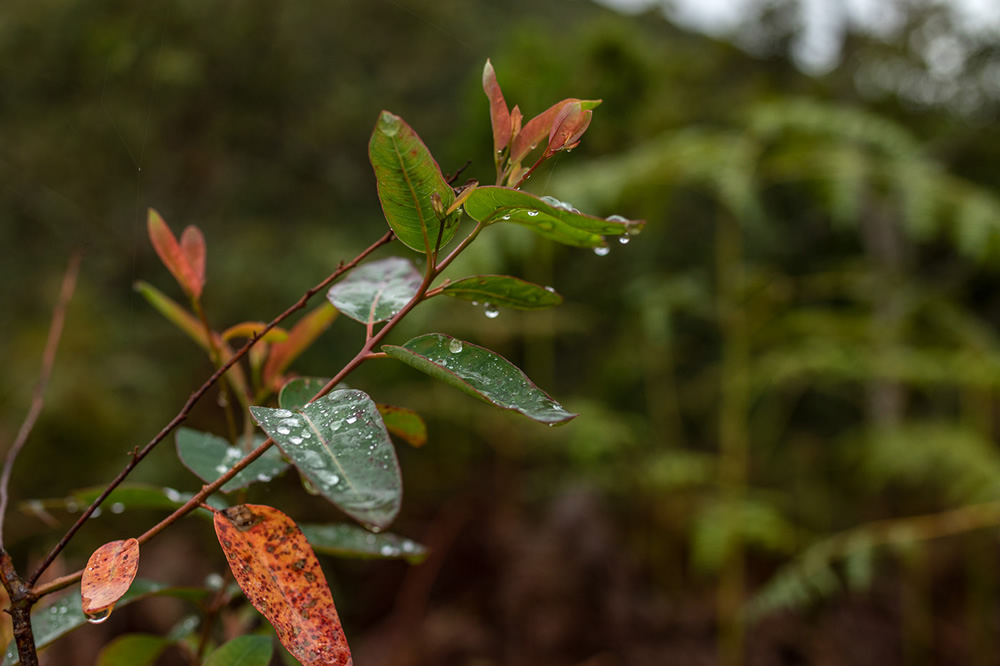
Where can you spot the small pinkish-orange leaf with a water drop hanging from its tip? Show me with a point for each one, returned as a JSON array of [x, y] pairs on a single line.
[[108, 575]]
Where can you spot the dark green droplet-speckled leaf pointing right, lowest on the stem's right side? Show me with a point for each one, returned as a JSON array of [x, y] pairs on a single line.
[[480, 373]]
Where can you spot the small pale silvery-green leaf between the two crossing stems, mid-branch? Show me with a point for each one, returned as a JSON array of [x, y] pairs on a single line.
[[375, 292]]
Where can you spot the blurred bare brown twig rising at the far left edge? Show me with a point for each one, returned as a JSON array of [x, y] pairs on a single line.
[[38, 398]]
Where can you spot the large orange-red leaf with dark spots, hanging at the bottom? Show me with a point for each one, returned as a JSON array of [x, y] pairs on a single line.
[[280, 575]]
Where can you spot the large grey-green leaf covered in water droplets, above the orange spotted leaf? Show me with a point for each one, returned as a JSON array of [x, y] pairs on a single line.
[[340, 444]]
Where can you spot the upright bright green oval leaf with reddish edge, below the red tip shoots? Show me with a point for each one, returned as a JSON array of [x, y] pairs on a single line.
[[407, 177]]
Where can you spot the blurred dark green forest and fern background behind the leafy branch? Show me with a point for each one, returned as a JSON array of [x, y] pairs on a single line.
[[802, 342]]
